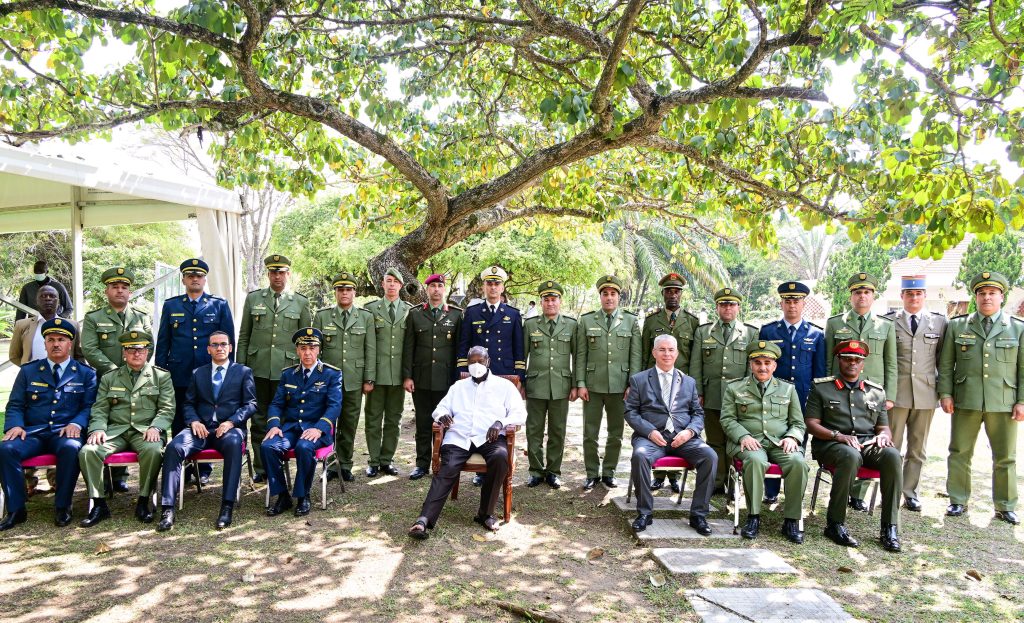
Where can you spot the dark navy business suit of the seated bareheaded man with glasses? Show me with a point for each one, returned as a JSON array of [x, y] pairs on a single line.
[[236, 403]]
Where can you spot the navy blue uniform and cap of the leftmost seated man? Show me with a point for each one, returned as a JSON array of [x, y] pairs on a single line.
[[42, 406]]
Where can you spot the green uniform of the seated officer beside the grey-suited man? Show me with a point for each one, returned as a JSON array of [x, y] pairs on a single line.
[[767, 419]]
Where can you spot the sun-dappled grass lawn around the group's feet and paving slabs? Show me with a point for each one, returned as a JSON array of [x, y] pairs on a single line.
[[355, 563]]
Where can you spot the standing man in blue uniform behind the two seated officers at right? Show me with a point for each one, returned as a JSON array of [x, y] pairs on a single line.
[[803, 348]]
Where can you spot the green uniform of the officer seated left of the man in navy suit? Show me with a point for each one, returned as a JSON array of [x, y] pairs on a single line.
[[124, 411]]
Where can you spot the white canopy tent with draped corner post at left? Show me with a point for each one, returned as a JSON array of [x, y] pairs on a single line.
[[41, 193]]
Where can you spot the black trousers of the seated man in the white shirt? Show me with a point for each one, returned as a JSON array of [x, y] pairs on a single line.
[[453, 459]]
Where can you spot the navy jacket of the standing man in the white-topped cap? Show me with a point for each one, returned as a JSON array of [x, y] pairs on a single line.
[[500, 334]]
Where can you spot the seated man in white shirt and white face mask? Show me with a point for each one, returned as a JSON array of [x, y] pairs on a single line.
[[476, 410]]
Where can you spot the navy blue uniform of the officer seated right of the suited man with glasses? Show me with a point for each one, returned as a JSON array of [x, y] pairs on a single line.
[[297, 406]]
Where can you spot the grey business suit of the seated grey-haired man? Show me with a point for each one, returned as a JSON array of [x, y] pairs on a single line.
[[647, 412]]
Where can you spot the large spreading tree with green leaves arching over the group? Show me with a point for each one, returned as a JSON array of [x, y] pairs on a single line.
[[455, 117]]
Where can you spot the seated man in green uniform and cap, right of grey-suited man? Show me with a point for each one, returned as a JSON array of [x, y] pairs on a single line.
[[763, 423]]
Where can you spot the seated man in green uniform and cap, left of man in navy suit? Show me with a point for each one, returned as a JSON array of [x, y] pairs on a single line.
[[134, 410]]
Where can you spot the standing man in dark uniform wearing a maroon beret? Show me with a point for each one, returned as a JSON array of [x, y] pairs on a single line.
[[429, 363]]
